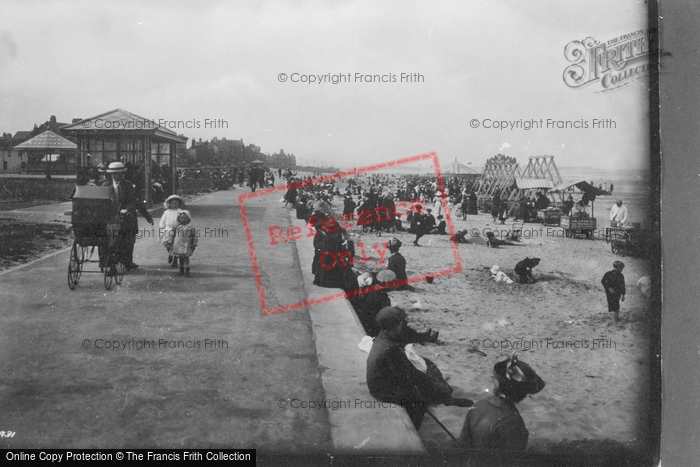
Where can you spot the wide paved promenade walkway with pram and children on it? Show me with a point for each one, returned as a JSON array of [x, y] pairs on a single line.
[[60, 384]]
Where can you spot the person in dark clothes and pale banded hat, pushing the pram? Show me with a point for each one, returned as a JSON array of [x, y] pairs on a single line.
[[128, 201]]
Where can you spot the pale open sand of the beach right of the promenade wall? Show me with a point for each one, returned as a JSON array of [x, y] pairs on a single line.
[[597, 374]]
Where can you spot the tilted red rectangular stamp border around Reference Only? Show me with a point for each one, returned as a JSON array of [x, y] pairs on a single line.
[[407, 160]]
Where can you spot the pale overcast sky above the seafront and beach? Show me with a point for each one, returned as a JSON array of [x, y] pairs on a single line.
[[191, 61]]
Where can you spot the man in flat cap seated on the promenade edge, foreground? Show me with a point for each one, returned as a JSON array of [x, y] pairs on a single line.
[[391, 377]]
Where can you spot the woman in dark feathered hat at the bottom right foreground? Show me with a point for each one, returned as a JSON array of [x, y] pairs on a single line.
[[495, 422]]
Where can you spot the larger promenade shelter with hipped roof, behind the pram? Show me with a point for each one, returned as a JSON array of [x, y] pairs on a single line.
[[119, 135]]
